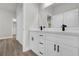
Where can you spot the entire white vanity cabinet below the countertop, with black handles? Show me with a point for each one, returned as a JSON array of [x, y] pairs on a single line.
[[51, 44]]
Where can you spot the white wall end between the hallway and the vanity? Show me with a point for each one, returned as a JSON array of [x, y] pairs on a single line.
[[30, 15]]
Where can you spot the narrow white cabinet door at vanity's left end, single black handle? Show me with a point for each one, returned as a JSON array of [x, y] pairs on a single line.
[[34, 42]]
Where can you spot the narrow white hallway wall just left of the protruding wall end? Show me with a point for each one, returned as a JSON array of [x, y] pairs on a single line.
[[19, 23]]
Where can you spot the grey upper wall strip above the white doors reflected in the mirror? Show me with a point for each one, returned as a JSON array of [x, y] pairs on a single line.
[[63, 7]]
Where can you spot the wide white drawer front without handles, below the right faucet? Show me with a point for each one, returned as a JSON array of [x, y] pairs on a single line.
[[68, 40]]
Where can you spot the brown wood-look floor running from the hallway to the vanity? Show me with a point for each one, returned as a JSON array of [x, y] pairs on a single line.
[[11, 47]]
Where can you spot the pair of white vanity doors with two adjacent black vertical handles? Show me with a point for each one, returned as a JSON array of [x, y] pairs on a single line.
[[54, 48]]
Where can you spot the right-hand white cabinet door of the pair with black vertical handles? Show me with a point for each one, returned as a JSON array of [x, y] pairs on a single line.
[[64, 50]]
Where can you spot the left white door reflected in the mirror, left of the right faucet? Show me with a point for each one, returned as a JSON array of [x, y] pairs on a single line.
[[57, 21]]
